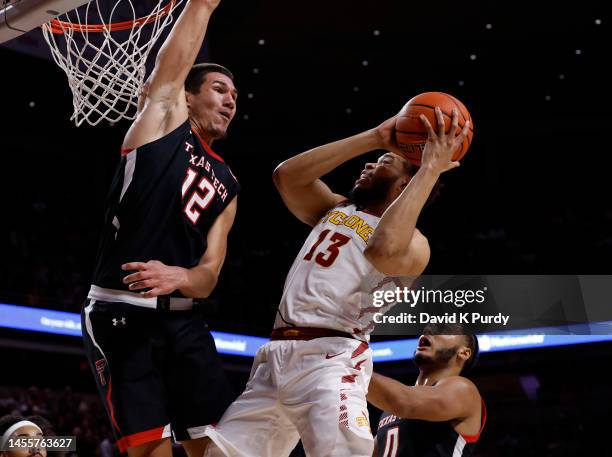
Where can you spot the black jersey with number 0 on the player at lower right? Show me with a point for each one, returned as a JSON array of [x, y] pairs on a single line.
[[398, 437]]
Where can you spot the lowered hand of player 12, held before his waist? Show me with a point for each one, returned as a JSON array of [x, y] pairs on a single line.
[[159, 278]]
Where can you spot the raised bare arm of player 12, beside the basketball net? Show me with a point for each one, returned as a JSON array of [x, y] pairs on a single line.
[[162, 106]]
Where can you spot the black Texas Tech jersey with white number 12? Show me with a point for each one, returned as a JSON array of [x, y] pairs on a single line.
[[163, 200]]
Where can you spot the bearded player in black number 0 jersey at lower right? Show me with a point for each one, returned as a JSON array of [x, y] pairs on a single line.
[[442, 415]]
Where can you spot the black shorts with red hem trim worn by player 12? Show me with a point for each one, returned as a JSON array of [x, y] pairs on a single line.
[[158, 371]]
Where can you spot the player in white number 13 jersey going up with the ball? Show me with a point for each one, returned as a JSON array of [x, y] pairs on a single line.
[[311, 380]]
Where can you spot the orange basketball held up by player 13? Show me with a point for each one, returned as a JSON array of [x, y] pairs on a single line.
[[410, 132]]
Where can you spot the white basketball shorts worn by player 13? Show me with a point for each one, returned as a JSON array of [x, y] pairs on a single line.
[[314, 390]]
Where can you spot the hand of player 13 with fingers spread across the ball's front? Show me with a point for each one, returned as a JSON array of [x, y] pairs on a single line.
[[440, 146]]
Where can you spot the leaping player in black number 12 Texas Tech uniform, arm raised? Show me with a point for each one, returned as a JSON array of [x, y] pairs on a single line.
[[169, 211]]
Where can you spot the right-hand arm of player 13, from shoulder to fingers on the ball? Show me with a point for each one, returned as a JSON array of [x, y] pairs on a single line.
[[396, 247]]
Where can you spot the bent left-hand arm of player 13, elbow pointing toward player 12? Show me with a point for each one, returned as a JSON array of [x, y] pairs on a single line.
[[298, 178]]
